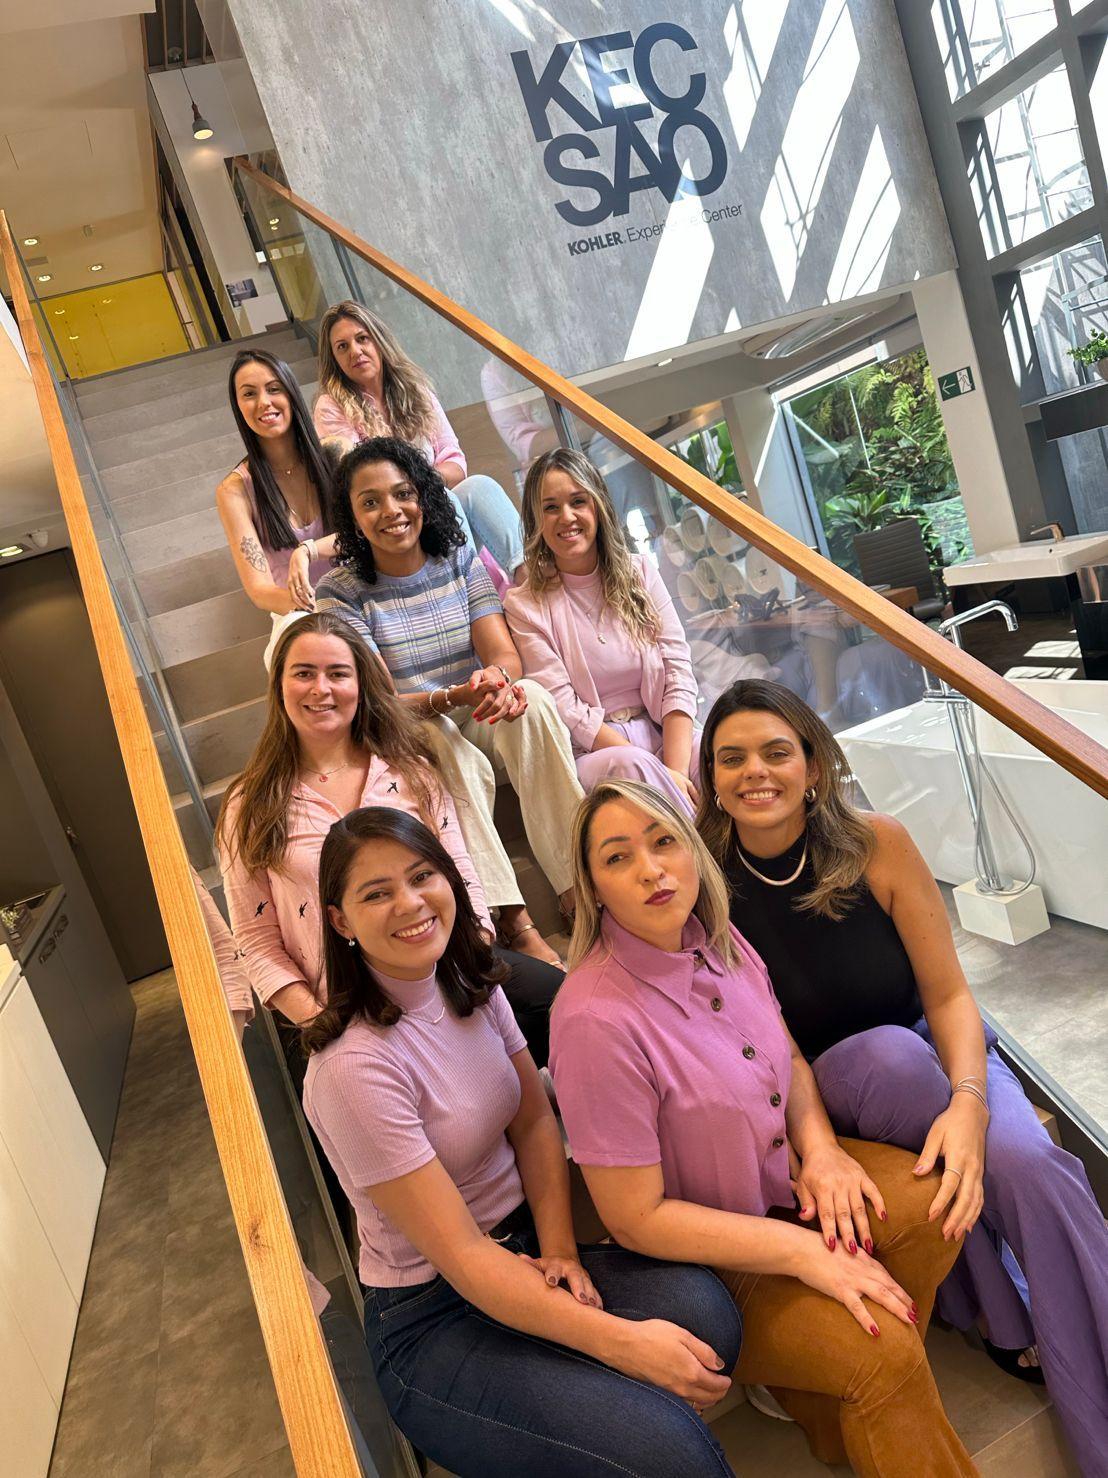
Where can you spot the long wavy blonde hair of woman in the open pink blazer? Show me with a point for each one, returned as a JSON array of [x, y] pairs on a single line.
[[623, 588]]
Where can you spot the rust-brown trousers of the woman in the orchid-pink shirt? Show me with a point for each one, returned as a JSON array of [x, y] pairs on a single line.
[[866, 1400]]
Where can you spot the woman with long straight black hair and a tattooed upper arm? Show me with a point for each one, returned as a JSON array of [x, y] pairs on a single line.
[[277, 505]]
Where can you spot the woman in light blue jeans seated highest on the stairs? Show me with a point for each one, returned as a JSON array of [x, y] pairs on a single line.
[[372, 388]]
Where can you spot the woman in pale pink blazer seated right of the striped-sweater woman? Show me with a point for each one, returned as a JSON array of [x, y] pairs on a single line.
[[596, 627]]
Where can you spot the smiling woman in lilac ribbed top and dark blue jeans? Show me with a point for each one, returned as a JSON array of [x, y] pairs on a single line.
[[500, 1346]]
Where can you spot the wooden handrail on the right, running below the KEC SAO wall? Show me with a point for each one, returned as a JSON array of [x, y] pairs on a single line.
[[1032, 721]]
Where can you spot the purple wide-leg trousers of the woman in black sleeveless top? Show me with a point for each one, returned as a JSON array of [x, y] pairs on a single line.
[[889, 1086]]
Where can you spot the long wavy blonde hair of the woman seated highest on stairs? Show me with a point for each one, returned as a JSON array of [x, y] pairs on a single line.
[[408, 410]]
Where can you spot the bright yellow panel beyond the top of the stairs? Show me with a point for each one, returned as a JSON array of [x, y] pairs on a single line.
[[116, 324]]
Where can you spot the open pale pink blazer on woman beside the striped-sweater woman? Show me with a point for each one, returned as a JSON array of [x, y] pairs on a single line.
[[546, 633]]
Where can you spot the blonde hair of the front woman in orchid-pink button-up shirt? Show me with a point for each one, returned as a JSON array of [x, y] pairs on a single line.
[[711, 902]]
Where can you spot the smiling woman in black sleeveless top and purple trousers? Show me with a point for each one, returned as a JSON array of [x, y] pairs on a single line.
[[859, 947]]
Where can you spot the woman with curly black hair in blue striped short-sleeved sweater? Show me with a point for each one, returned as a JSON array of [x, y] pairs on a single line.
[[411, 586]]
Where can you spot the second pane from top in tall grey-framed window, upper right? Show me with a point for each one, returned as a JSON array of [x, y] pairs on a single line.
[[1027, 169]]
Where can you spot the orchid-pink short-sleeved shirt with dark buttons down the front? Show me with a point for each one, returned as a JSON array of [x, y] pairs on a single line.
[[679, 1060]]
